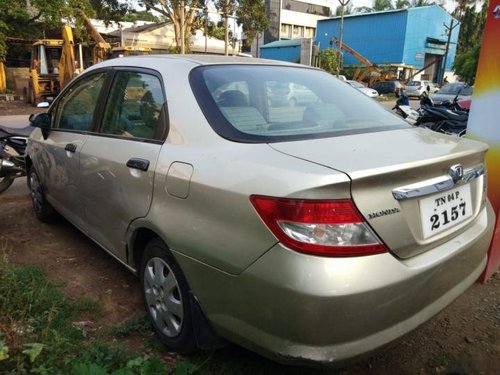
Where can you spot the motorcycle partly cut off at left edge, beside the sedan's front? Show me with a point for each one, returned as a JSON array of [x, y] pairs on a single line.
[[12, 149]]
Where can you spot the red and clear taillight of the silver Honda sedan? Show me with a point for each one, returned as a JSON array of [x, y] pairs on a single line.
[[328, 228]]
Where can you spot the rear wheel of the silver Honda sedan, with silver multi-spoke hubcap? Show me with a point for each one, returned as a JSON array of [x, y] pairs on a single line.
[[167, 298]]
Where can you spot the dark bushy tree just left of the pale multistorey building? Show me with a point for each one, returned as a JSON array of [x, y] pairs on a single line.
[[252, 16]]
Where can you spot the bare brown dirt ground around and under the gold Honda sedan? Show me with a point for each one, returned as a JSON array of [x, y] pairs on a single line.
[[462, 339]]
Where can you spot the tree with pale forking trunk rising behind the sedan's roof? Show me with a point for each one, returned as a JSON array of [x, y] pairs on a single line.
[[182, 13]]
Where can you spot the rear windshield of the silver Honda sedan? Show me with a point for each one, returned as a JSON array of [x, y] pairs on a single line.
[[262, 103]]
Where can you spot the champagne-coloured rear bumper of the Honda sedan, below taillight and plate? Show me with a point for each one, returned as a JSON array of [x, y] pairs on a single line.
[[304, 309]]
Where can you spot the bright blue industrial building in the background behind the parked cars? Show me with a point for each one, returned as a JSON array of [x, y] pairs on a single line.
[[412, 38]]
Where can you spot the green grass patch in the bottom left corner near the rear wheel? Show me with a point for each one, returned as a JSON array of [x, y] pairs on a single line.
[[39, 333]]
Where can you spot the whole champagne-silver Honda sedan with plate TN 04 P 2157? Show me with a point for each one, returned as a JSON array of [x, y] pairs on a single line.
[[313, 233]]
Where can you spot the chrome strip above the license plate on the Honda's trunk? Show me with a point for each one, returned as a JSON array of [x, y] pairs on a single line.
[[436, 185]]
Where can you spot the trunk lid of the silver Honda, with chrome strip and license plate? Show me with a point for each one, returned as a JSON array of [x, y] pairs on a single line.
[[415, 188]]
